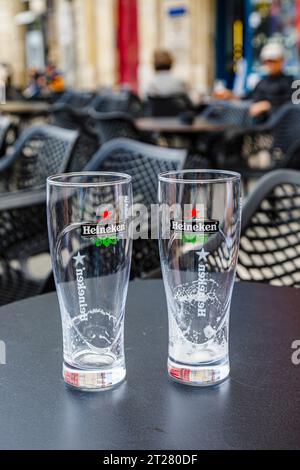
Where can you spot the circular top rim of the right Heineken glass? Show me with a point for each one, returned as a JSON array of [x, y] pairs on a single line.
[[224, 176]]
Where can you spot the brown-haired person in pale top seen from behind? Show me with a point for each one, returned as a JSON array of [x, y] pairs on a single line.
[[164, 83]]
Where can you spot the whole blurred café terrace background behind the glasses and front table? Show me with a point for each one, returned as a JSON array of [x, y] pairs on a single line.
[[144, 86]]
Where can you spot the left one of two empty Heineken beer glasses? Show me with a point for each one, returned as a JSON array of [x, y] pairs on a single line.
[[88, 225]]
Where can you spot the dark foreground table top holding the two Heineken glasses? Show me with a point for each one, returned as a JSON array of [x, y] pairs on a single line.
[[258, 407]]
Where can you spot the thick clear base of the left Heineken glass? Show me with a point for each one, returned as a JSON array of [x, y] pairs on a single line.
[[93, 380]]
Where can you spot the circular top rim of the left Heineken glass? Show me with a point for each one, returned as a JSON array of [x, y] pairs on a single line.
[[58, 179]]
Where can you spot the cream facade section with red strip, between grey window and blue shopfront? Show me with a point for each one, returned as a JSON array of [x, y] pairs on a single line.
[[112, 41]]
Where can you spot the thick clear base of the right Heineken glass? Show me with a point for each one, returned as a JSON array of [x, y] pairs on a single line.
[[199, 376]]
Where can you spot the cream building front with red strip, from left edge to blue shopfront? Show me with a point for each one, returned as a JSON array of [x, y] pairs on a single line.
[[105, 42]]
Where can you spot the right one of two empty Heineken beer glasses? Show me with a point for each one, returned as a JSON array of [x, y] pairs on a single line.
[[199, 230]]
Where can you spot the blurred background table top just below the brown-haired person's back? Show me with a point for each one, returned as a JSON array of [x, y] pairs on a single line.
[[171, 125]]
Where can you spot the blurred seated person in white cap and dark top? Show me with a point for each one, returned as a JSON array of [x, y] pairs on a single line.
[[276, 88]]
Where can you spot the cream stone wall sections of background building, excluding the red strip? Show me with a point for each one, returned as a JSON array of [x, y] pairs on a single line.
[[83, 40]]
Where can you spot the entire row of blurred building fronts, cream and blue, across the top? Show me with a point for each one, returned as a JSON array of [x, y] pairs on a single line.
[[107, 42]]
